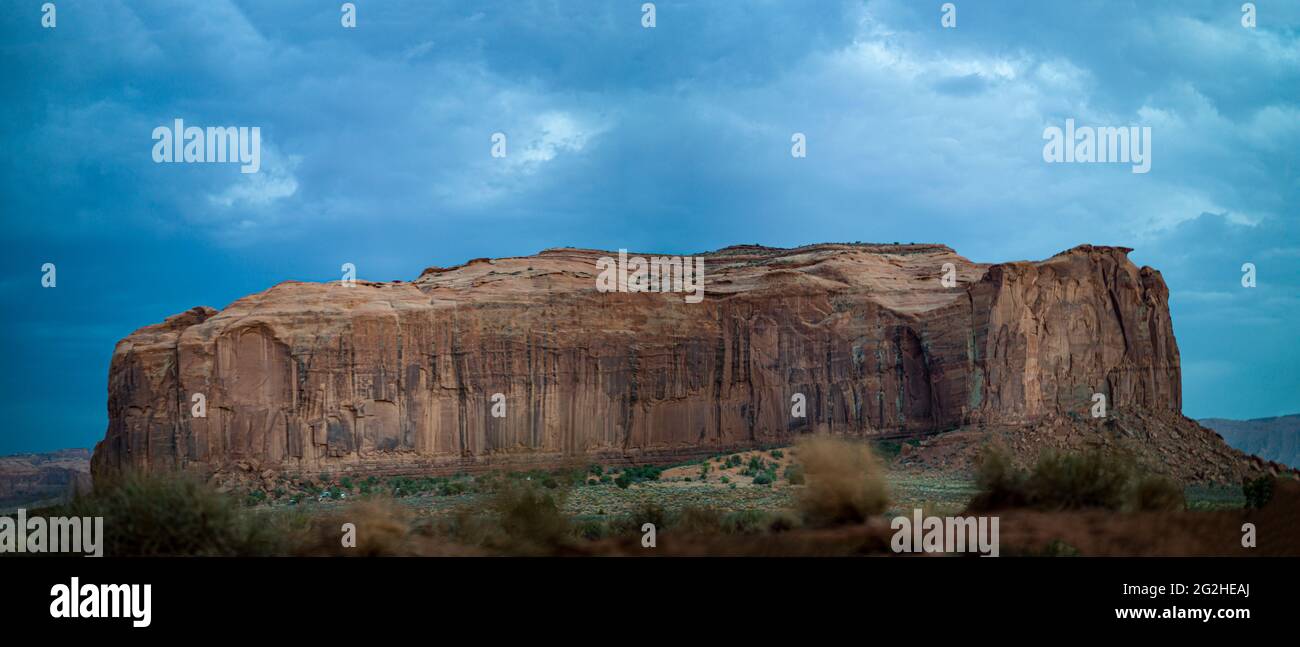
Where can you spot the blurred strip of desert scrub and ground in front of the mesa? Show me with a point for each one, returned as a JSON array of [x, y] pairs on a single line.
[[824, 497]]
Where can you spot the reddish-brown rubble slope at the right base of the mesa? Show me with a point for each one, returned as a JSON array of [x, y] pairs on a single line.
[[1160, 442]]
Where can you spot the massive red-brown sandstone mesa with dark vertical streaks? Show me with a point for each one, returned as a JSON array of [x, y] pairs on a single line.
[[400, 377]]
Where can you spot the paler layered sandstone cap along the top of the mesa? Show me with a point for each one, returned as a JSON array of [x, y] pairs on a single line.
[[905, 279]]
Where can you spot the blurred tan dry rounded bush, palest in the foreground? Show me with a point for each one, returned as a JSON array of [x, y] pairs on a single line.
[[846, 481]]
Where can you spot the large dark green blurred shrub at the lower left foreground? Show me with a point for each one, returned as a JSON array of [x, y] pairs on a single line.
[[177, 515]]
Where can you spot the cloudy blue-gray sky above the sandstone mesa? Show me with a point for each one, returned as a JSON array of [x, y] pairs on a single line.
[[677, 138]]
